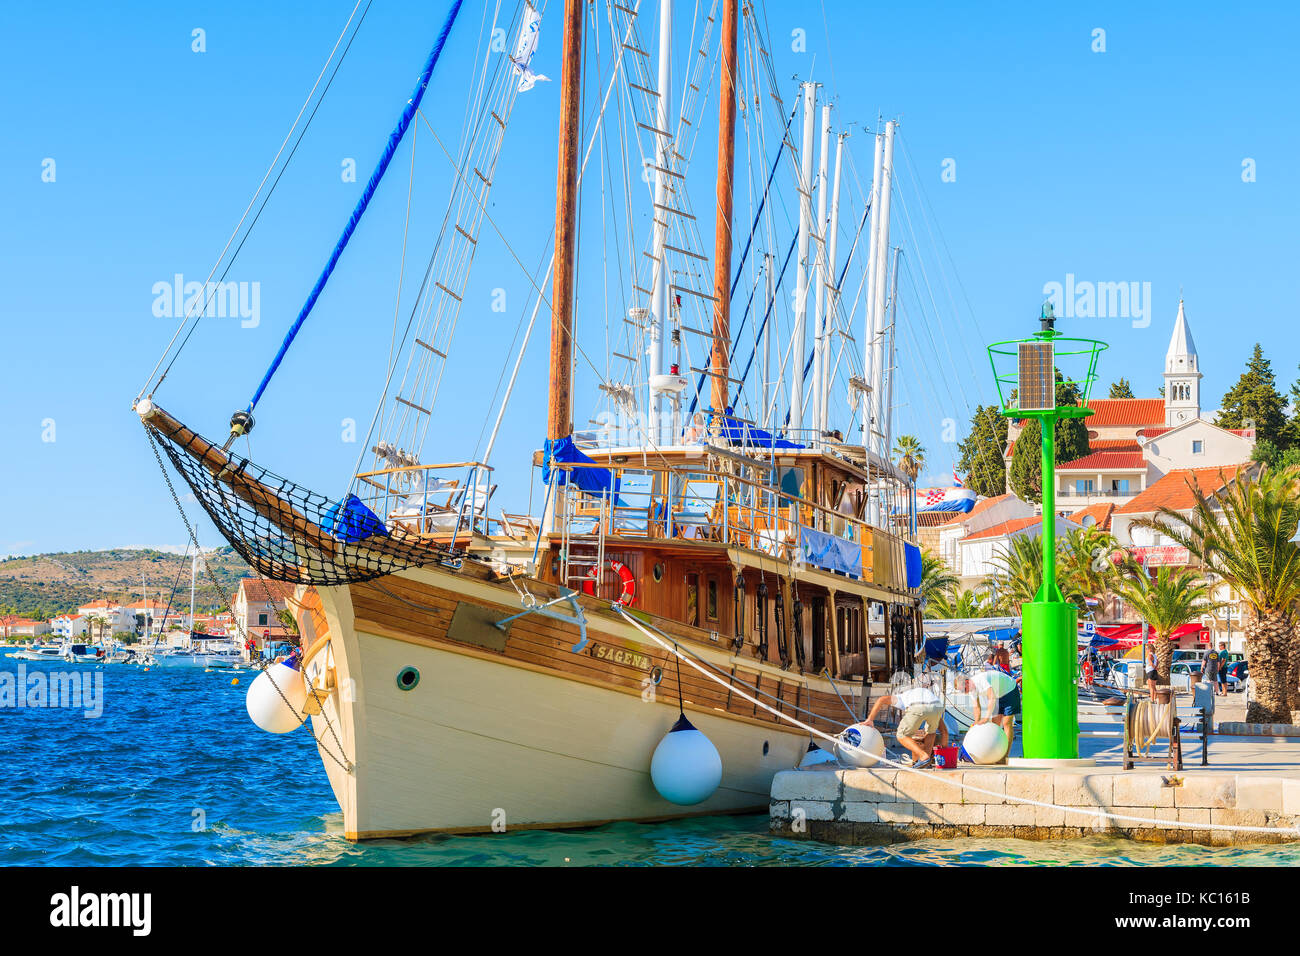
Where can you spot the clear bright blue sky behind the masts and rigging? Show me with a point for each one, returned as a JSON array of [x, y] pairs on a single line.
[[1119, 166]]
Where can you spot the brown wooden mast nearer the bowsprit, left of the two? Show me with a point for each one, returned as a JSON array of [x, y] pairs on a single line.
[[560, 406]]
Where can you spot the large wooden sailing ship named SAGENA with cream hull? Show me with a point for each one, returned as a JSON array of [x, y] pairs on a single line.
[[473, 672]]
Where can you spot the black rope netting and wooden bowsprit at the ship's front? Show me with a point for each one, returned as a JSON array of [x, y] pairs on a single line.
[[288, 533]]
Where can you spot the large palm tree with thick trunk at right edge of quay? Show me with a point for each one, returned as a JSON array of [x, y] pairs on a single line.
[[1243, 534]]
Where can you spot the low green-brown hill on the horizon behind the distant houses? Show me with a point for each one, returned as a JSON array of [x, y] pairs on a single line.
[[45, 586]]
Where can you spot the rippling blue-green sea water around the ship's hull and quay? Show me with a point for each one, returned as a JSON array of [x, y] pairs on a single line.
[[174, 773]]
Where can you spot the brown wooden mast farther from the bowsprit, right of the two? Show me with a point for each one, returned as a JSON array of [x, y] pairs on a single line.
[[720, 360]]
